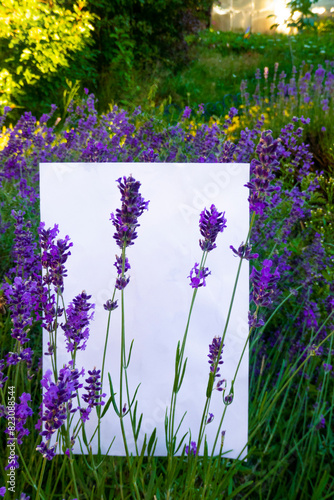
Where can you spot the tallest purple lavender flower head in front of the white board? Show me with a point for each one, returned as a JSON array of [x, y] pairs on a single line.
[[126, 218]]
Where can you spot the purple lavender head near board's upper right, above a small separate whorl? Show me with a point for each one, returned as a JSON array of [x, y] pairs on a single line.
[[211, 223]]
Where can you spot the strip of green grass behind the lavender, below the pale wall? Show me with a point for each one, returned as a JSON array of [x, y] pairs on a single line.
[[218, 61]]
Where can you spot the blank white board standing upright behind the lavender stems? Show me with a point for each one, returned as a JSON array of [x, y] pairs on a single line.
[[80, 198]]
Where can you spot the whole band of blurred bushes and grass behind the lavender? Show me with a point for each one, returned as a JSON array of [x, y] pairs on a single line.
[[120, 49]]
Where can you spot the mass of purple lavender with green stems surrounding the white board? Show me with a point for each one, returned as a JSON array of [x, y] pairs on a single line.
[[291, 318]]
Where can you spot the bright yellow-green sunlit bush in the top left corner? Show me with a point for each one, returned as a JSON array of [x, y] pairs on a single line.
[[36, 40]]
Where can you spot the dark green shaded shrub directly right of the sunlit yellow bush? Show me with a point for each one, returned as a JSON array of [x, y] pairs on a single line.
[[131, 34]]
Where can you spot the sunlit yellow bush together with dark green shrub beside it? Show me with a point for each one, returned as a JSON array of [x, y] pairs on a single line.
[[102, 47]]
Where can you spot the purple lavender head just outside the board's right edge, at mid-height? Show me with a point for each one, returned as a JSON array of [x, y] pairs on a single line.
[[264, 284]]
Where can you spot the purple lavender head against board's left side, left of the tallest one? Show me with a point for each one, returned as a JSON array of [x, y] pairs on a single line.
[[76, 327]]
